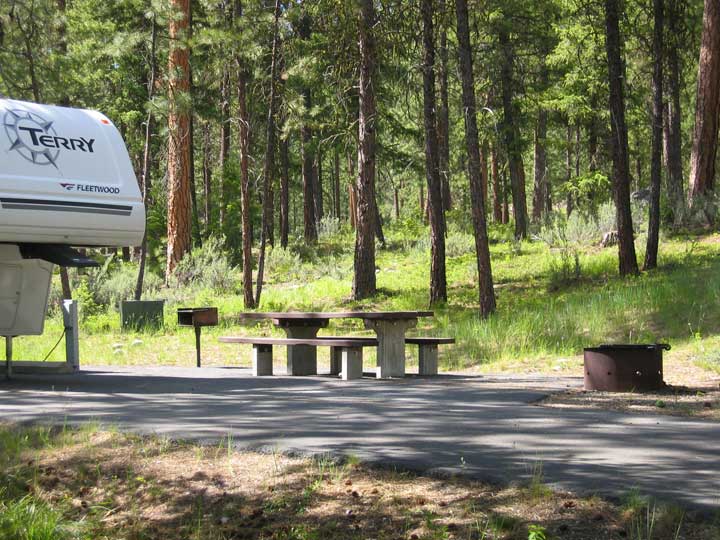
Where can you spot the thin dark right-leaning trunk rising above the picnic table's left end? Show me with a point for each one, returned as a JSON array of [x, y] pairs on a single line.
[[269, 164]]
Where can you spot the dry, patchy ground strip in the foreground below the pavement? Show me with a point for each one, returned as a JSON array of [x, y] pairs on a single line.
[[92, 482]]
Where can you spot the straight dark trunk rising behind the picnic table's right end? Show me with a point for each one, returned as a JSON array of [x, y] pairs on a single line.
[[438, 279]]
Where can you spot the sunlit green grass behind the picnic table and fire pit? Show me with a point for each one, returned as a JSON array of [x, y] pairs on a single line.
[[541, 315]]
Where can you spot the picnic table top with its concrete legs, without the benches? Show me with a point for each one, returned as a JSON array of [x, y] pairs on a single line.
[[389, 327]]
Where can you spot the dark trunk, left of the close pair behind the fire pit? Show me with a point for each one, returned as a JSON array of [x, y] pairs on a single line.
[[619, 143]]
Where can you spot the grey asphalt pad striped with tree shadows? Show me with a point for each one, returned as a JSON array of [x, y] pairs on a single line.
[[481, 426]]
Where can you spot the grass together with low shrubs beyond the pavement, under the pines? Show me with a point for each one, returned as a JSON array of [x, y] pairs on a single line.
[[558, 293]]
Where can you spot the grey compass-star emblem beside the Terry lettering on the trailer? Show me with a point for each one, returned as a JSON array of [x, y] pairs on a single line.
[[24, 130]]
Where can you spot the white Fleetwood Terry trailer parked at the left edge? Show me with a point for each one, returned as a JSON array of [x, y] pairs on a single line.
[[65, 180]]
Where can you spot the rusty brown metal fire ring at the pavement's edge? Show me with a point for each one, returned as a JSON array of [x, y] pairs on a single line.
[[624, 368]]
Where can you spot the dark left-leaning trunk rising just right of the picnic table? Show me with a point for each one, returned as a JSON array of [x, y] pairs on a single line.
[[482, 247]]
